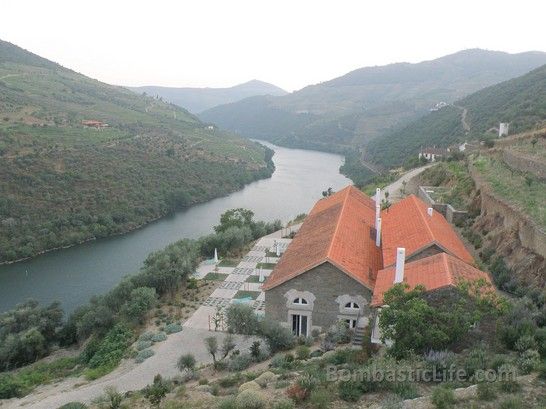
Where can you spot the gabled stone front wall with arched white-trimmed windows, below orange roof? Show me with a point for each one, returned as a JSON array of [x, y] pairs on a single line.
[[330, 290]]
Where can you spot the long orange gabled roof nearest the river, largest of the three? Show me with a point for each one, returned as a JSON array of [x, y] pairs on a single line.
[[337, 230]]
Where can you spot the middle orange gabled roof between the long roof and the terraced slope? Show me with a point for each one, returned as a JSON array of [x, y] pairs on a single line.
[[407, 224]]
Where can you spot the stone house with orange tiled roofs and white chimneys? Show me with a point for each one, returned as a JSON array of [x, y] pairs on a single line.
[[345, 247]]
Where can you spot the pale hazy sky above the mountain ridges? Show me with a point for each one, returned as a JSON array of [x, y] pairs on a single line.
[[289, 43]]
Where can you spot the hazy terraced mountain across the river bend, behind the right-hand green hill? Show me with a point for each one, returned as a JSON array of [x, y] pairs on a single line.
[[351, 110]]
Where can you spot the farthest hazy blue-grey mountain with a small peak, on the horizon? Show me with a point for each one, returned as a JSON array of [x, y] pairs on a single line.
[[199, 99]]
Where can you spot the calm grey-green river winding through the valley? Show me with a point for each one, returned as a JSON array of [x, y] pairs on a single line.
[[73, 275]]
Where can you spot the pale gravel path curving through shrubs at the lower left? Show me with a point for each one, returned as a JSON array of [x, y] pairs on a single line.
[[128, 376]]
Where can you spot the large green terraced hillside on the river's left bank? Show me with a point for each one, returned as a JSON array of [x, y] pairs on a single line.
[[62, 183]]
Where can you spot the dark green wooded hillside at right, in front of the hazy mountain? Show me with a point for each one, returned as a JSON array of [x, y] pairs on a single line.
[[520, 101]]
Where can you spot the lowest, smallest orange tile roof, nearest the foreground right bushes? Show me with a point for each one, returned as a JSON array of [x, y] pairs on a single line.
[[434, 272]]
